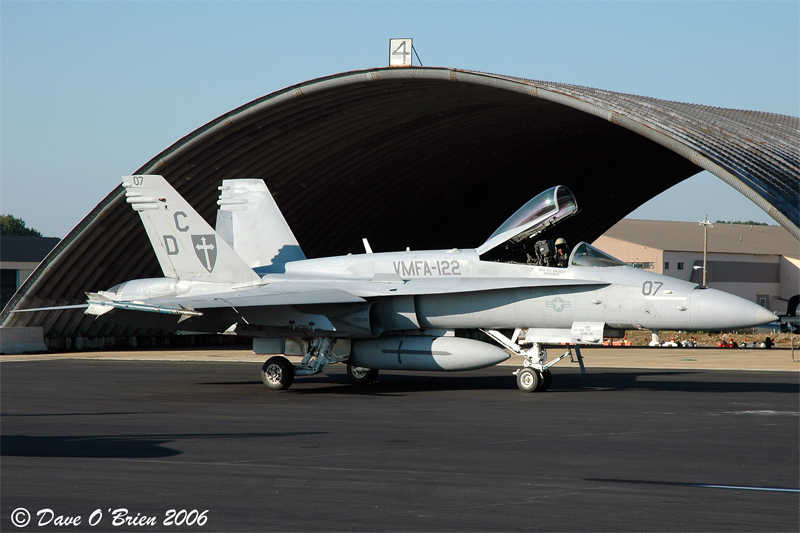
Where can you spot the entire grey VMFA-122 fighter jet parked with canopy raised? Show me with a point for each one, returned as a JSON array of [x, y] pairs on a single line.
[[412, 310]]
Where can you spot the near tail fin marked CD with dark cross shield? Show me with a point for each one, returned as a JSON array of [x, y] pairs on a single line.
[[185, 245]]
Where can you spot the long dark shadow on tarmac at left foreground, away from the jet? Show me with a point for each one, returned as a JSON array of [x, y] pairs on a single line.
[[113, 446]]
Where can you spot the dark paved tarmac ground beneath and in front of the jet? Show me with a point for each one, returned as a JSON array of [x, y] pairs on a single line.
[[615, 449]]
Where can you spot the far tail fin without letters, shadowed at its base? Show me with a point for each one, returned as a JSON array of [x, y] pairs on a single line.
[[250, 221]]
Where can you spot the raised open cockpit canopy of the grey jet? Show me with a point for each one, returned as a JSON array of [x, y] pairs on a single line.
[[540, 213]]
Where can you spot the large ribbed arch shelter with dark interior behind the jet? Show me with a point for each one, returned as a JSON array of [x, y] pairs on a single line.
[[427, 158]]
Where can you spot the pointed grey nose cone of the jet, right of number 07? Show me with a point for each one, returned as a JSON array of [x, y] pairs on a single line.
[[716, 310]]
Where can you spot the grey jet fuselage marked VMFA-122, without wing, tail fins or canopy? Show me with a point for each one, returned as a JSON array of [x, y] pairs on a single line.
[[623, 297]]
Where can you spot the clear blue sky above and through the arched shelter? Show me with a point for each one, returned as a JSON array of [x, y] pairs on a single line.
[[90, 91]]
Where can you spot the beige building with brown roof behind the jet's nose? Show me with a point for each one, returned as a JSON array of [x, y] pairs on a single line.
[[758, 263]]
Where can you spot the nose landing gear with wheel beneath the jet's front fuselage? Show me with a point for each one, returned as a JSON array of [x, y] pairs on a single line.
[[534, 376]]
